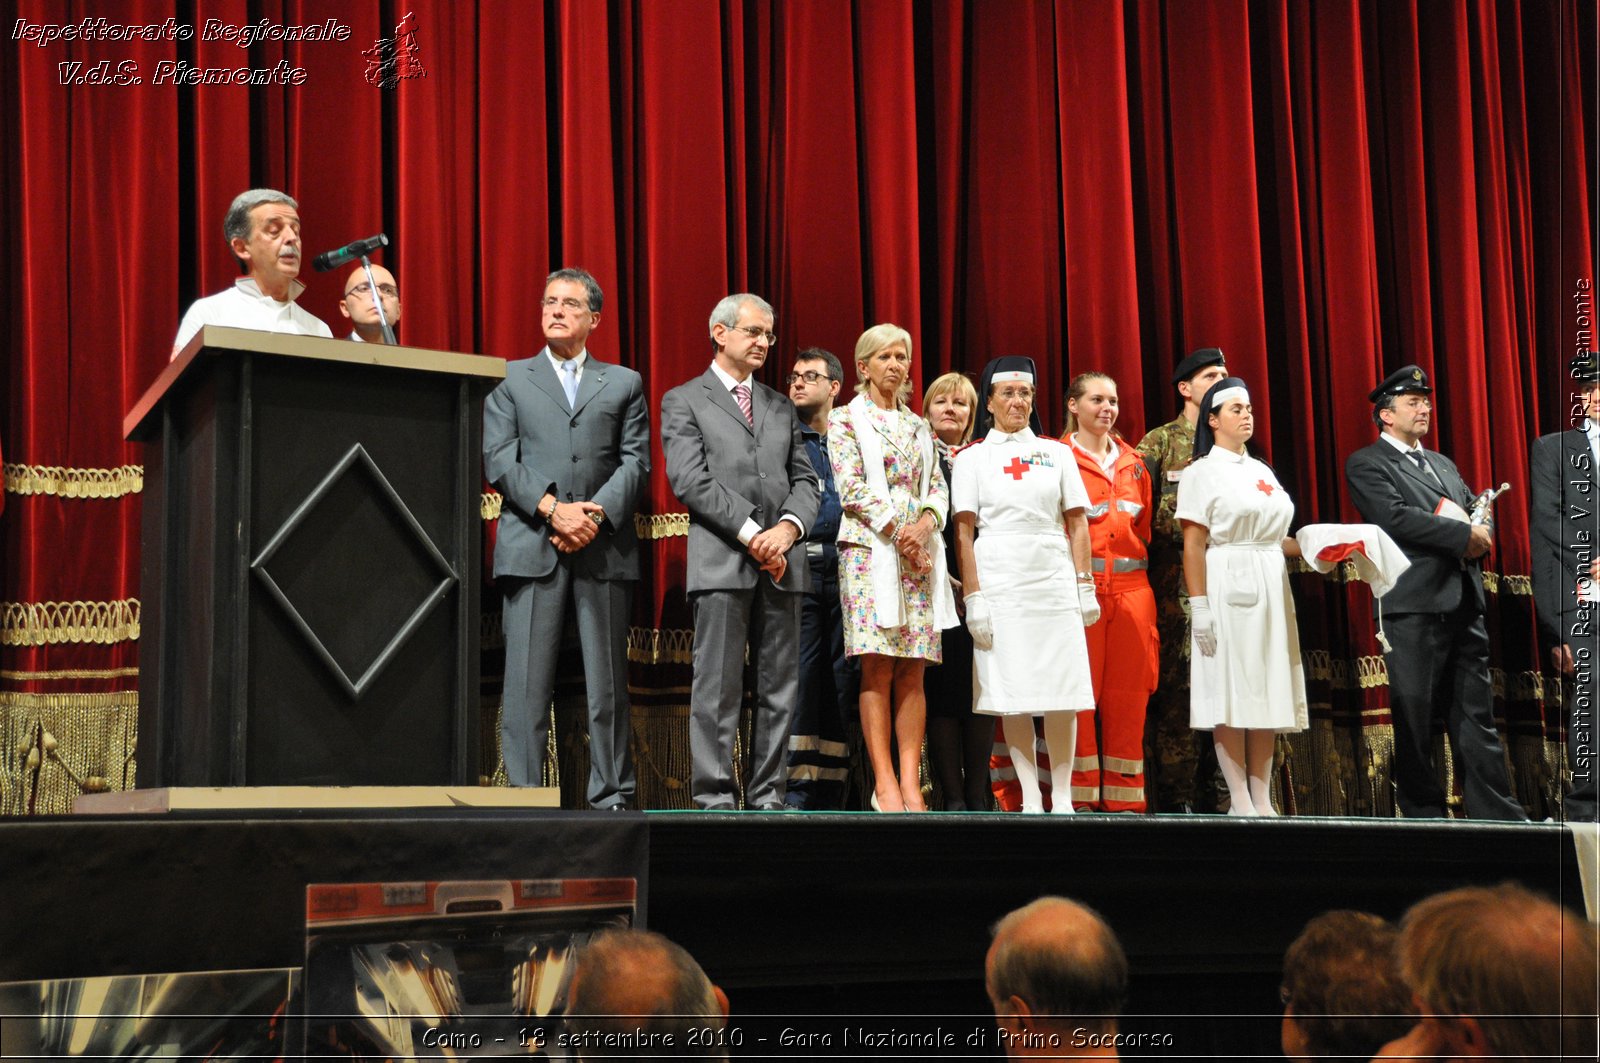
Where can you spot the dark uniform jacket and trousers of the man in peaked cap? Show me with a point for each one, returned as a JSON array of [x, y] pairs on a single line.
[[1439, 667]]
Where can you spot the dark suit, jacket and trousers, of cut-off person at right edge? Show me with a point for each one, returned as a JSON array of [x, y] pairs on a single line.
[[1566, 527]]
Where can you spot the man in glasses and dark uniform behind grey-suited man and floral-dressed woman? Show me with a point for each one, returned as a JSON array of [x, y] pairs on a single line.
[[818, 755]]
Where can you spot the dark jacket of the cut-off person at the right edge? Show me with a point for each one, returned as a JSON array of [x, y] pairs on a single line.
[[1566, 526]]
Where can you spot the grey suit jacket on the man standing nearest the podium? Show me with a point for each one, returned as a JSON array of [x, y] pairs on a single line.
[[535, 444]]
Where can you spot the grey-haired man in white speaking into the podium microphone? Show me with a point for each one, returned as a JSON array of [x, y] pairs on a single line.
[[263, 231]]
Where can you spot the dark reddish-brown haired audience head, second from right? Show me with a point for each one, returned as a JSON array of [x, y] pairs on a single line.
[[1342, 989]]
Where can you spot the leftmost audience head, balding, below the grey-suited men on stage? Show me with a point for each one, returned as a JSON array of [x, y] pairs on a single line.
[[636, 982]]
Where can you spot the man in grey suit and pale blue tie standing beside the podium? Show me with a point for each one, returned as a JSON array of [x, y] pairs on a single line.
[[567, 444]]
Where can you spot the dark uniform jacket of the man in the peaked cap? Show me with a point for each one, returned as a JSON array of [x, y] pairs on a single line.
[[1391, 492]]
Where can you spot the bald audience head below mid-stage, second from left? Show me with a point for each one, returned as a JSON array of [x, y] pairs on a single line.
[[1058, 979]]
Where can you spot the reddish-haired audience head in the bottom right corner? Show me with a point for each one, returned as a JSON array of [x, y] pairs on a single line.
[[1498, 974]]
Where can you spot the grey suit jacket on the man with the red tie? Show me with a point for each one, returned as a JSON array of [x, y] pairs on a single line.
[[727, 471]]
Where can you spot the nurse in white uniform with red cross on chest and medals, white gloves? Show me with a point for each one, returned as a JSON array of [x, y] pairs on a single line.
[[1030, 587]]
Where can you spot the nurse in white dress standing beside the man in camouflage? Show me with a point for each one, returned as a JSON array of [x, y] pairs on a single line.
[[1247, 681]]
